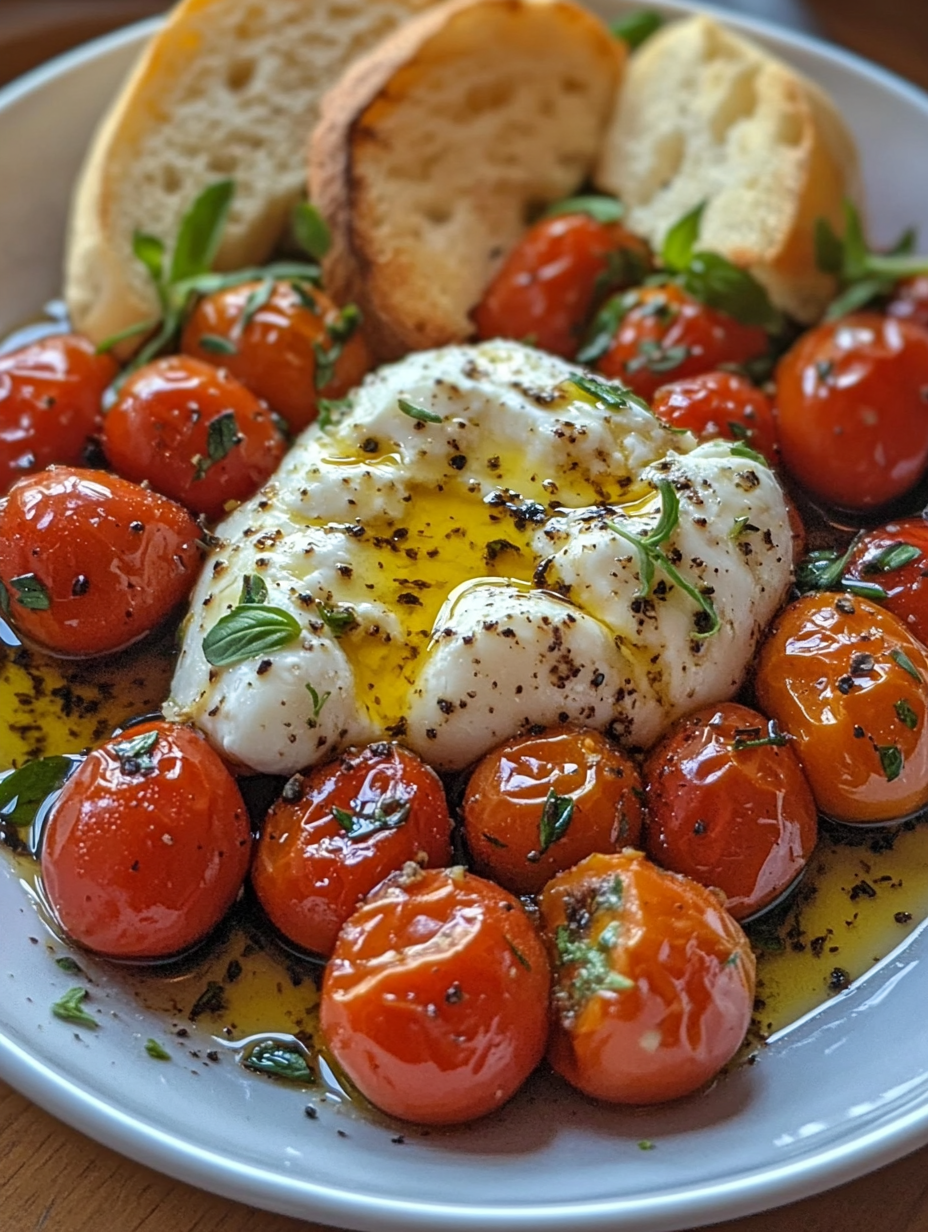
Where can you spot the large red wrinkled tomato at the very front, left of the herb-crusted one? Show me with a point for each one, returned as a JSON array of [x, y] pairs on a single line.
[[436, 1000]]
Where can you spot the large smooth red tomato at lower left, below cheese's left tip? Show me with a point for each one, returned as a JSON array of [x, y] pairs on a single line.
[[144, 857]]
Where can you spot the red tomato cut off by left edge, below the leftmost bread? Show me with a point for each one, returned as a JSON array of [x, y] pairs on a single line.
[[50, 403]]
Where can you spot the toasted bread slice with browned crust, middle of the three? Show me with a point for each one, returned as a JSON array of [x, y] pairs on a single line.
[[436, 148]]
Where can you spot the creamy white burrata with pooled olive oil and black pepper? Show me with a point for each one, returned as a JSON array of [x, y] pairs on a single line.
[[475, 559]]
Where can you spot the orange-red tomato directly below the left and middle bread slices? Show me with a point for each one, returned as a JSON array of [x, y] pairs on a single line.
[[293, 351]]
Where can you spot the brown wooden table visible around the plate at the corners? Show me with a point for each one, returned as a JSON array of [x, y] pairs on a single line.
[[56, 1181]]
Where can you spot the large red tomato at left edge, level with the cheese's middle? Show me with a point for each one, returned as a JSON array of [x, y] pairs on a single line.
[[105, 561]]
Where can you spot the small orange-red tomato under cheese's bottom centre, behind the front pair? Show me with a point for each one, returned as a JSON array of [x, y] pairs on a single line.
[[508, 820]]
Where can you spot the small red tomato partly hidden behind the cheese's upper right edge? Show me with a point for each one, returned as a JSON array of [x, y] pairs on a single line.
[[720, 405]]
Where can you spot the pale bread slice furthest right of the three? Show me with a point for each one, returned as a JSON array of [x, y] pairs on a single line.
[[708, 116]]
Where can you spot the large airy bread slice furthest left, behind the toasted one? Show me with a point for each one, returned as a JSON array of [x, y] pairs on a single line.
[[226, 88]]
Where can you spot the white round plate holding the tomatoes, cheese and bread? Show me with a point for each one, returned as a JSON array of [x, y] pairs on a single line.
[[840, 1093]]
